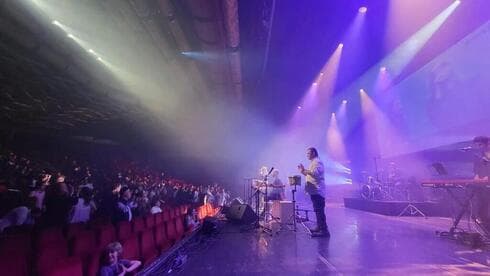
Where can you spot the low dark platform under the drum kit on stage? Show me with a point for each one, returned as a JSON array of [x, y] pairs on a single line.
[[398, 208]]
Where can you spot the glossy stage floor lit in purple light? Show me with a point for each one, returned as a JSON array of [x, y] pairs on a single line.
[[361, 243]]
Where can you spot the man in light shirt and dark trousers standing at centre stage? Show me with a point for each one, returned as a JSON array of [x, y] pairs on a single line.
[[315, 187]]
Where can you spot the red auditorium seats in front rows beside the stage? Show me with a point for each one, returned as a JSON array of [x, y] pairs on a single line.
[[78, 251]]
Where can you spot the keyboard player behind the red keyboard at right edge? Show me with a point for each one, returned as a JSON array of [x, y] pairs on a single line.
[[481, 168]]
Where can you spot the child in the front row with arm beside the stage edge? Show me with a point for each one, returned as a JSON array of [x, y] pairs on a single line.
[[113, 265]]
